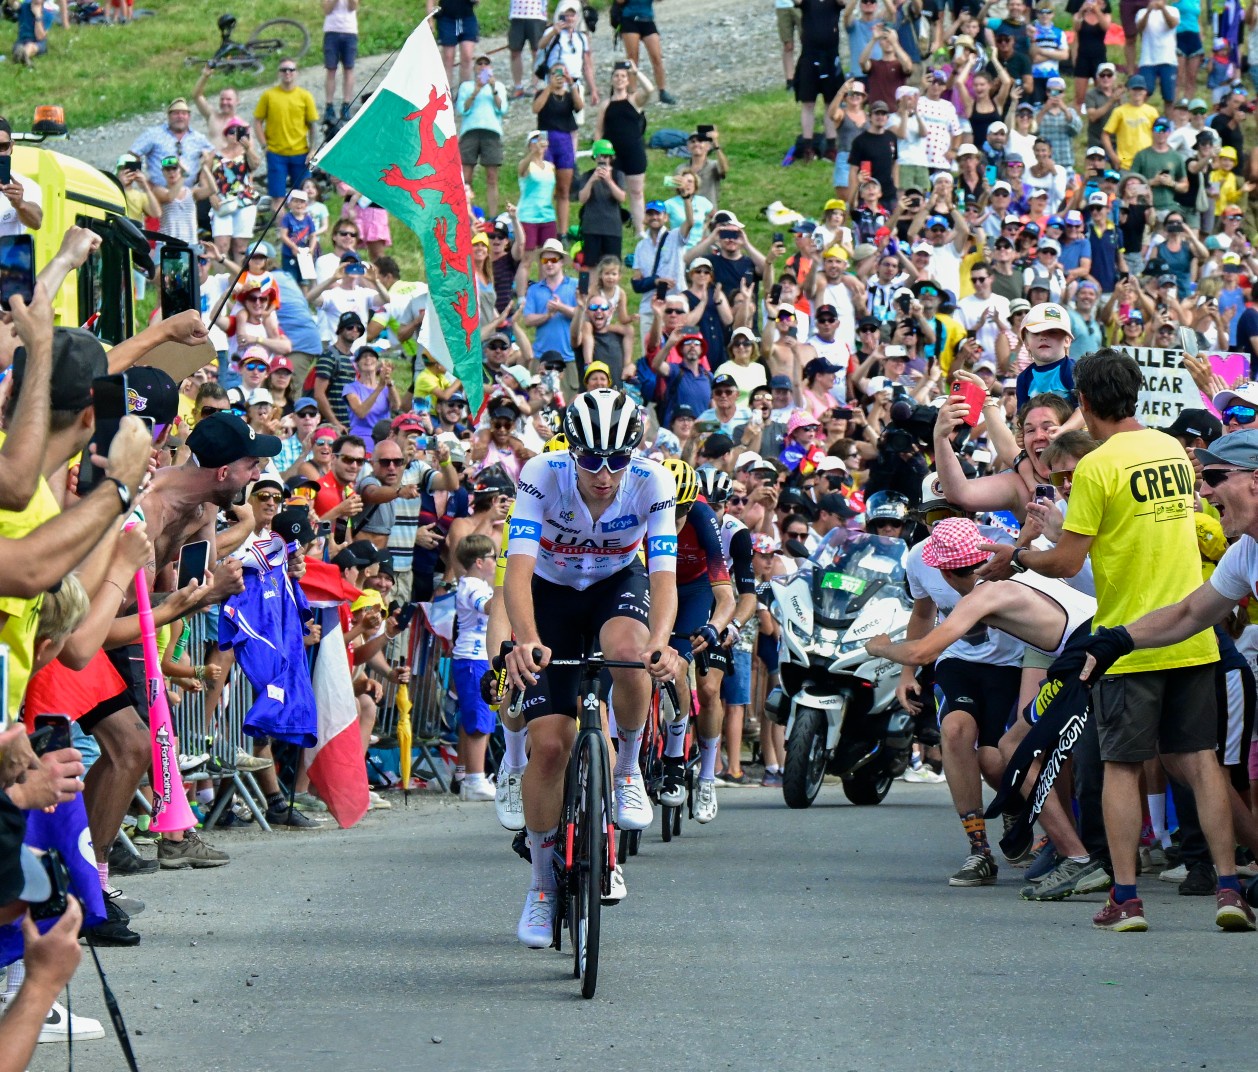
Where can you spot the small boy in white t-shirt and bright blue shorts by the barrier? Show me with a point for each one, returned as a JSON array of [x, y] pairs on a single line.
[[477, 556]]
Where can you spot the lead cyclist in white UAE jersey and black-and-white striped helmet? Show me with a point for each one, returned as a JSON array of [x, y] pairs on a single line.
[[579, 523]]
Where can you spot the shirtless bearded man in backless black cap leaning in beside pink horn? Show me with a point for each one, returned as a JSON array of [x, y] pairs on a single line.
[[181, 508]]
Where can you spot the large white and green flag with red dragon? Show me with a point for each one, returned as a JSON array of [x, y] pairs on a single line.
[[402, 152]]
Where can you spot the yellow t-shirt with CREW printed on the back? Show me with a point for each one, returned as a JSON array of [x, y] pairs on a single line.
[[1134, 496]]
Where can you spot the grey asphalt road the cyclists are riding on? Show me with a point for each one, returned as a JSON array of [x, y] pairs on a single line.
[[821, 939]]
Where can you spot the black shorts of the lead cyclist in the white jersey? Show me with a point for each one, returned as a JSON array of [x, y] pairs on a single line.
[[569, 625]]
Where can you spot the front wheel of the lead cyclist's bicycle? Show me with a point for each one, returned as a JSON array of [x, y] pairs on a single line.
[[589, 861]]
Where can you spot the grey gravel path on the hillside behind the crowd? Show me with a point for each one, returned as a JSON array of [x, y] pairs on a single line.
[[714, 51]]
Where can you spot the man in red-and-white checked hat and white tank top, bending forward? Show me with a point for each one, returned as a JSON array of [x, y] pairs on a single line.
[[1041, 612]]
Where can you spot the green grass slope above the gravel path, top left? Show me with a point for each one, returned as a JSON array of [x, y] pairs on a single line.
[[104, 74]]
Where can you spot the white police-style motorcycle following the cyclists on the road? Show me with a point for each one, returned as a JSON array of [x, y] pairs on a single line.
[[837, 703]]
